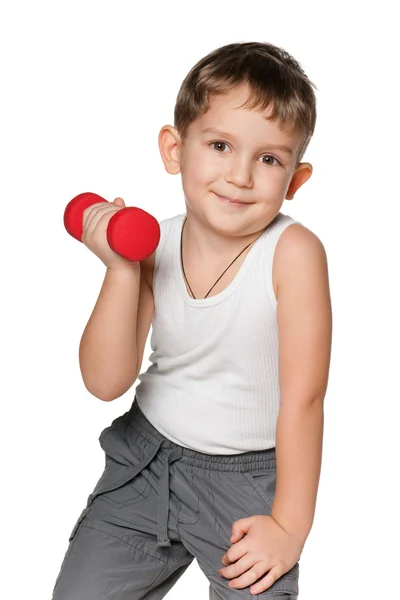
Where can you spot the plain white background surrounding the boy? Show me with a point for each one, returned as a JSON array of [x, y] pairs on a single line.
[[85, 89]]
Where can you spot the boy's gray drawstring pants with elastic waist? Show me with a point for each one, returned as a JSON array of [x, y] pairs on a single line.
[[155, 508]]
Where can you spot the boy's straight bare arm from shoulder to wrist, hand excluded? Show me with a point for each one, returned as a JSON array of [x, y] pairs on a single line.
[[305, 330]]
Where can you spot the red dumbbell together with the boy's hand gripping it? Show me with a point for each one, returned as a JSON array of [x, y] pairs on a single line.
[[108, 228]]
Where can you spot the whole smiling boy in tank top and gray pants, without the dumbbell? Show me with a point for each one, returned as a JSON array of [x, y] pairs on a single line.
[[219, 456]]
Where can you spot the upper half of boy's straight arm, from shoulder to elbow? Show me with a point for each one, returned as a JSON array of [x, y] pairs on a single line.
[[304, 316]]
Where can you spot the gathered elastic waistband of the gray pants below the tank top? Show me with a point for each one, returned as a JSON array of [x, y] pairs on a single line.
[[252, 460]]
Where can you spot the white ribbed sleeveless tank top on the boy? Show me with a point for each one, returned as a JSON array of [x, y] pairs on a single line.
[[213, 383]]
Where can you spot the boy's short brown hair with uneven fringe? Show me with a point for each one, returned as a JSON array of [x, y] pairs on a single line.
[[273, 76]]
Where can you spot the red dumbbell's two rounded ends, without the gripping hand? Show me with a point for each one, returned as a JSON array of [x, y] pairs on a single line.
[[132, 232]]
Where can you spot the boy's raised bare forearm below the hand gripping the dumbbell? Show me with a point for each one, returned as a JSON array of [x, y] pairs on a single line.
[[108, 349]]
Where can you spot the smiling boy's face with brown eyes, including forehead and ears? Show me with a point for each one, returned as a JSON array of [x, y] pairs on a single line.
[[238, 160]]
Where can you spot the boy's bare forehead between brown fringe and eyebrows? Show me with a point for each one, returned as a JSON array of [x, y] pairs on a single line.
[[226, 114]]
